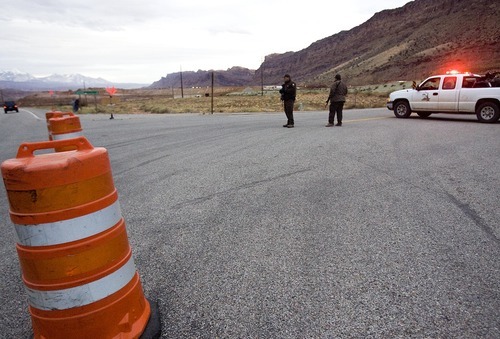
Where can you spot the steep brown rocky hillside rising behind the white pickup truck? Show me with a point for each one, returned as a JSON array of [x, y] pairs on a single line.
[[420, 38]]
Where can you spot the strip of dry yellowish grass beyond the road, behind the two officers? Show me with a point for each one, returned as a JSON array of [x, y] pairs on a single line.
[[195, 100]]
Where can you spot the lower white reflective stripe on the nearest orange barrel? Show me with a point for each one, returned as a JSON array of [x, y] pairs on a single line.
[[84, 294]]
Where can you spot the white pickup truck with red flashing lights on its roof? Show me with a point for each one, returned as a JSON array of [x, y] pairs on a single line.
[[451, 93]]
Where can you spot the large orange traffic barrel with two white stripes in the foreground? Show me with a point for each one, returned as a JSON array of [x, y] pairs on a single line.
[[76, 262]]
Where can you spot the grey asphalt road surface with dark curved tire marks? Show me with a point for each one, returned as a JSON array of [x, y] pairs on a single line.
[[240, 228]]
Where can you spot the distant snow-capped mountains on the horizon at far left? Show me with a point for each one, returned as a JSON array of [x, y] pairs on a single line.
[[25, 81]]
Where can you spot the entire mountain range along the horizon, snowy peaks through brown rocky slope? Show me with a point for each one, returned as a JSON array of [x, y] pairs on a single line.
[[421, 38]]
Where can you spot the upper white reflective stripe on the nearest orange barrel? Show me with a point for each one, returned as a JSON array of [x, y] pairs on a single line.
[[64, 231]]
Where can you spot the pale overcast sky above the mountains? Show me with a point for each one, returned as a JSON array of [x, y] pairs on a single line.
[[141, 41]]
